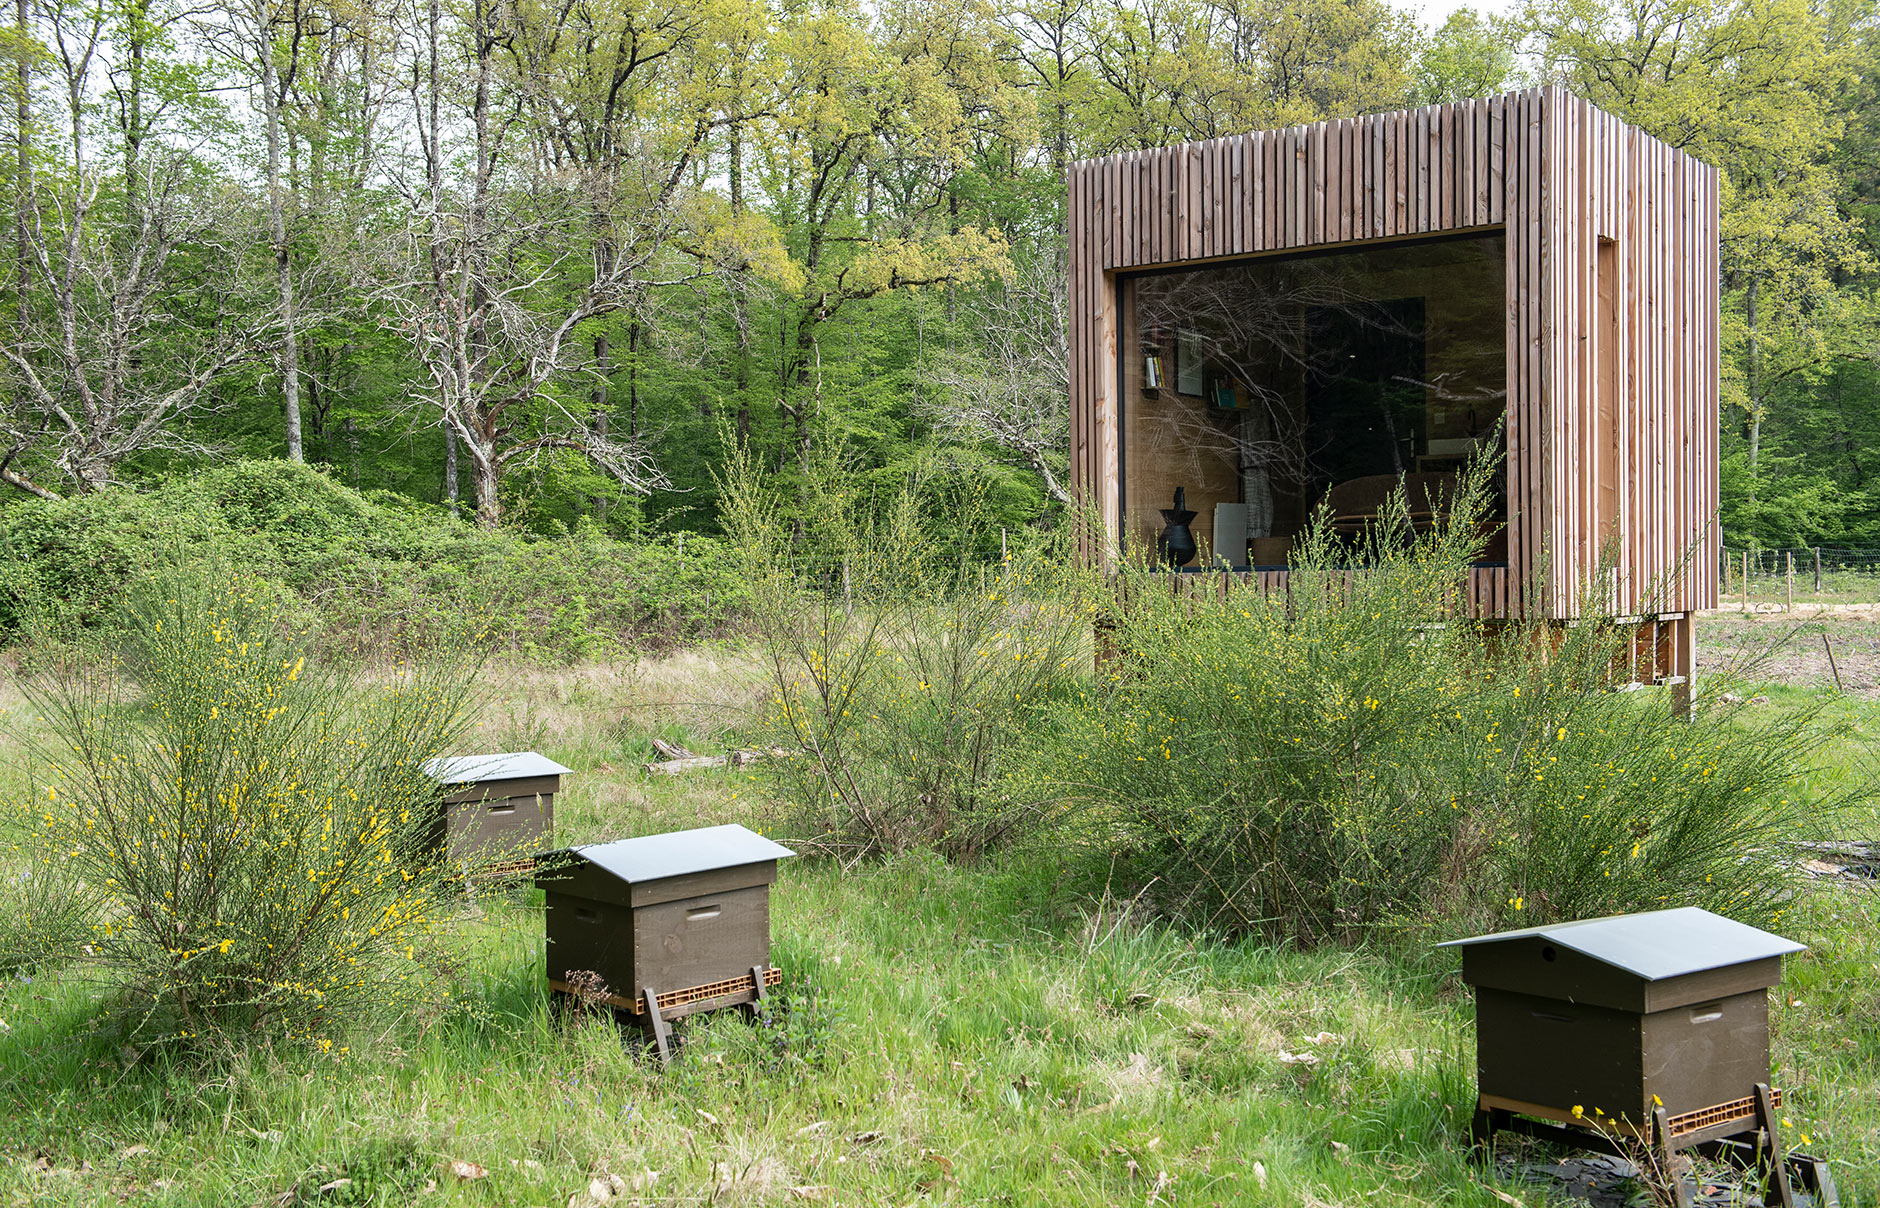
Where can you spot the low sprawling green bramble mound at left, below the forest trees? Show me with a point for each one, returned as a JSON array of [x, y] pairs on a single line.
[[371, 572]]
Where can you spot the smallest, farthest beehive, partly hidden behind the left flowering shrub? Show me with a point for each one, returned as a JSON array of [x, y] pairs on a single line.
[[497, 805]]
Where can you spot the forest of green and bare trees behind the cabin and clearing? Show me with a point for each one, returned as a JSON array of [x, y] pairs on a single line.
[[544, 262]]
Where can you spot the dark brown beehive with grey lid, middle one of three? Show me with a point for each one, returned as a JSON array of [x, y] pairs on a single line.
[[681, 920]]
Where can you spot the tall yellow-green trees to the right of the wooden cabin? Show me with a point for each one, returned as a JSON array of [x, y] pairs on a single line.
[[1778, 97]]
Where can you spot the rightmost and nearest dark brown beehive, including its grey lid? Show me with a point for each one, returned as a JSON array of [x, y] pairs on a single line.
[[1621, 1015]]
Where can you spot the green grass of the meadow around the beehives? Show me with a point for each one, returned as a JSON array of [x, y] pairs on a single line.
[[958, 1017]]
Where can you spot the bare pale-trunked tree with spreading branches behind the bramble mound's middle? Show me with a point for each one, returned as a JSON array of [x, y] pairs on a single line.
[[546, 230]]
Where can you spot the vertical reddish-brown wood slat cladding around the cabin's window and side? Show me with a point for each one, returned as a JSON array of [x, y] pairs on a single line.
[[1559, 178]]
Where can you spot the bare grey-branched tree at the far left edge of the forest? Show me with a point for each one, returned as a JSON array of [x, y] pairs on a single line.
[[138, 317]]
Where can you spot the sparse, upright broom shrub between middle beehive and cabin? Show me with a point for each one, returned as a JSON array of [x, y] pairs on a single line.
[[903, 672]]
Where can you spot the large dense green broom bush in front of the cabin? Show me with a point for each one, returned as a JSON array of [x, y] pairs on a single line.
[[1356, 756]]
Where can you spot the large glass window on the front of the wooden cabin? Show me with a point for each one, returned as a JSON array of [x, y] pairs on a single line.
[[1266, 388]]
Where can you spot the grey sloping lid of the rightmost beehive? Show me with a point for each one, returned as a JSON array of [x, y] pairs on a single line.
[[1659, 944]]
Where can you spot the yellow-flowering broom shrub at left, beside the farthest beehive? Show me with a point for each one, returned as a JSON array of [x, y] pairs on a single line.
[[255, 833]]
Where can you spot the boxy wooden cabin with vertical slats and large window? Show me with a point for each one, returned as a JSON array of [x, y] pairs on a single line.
[[1323, 313]]
